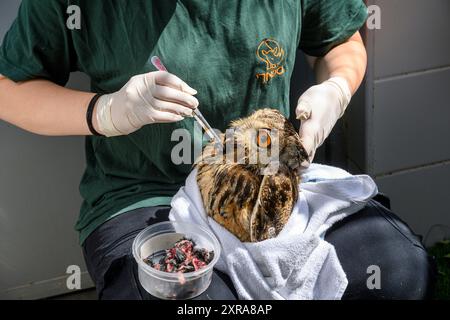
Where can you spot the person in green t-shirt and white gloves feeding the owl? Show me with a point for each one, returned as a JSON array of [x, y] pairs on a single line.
[[227, 58]]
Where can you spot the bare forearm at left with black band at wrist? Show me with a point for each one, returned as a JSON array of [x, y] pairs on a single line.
[[42, 107]]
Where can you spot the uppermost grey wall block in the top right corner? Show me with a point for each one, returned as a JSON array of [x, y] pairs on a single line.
[[414, 36]]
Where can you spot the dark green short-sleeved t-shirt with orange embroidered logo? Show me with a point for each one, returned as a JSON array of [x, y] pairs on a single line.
[[238, 54]]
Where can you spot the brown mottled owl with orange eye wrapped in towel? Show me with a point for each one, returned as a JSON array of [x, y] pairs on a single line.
[[251, 184]]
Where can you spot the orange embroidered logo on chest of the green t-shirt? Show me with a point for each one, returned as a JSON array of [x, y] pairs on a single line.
[[272, 54]]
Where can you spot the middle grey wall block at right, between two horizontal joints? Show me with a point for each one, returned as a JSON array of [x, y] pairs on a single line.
[[412, 121]]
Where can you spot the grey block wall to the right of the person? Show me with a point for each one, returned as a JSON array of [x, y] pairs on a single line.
[[401, 133]]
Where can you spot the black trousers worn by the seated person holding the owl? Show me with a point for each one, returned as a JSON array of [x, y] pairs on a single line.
[[373, 244]]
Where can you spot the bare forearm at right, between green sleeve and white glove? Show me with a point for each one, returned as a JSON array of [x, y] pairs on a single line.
[[347, 60]]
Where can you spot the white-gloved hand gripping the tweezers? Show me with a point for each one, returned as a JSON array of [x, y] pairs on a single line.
[[154, 97]]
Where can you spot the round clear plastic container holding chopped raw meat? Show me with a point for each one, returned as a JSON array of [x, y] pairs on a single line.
[[171, 286]]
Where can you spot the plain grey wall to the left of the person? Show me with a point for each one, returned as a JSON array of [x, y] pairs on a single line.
[[39, 203]]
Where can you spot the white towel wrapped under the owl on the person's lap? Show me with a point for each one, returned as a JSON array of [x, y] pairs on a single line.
[[298, 263]]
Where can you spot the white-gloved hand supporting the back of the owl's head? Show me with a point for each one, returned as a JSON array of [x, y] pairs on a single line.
[[319, 108]]
